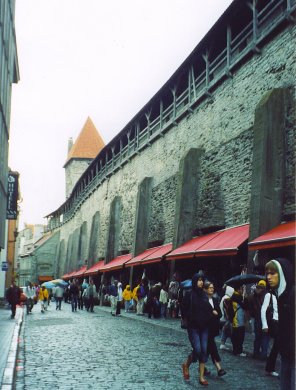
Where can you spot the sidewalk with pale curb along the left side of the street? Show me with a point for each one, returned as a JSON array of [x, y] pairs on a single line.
[[10, 330]]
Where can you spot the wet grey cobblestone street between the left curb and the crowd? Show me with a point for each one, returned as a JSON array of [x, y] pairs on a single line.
[[81, 350]]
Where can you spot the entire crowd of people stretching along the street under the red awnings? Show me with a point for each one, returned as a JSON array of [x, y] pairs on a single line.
[[268, 308]]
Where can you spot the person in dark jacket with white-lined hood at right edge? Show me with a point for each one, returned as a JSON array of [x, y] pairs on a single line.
[[280, 276]]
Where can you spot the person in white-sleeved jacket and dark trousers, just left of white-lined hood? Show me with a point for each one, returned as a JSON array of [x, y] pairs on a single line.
[[270, 328]]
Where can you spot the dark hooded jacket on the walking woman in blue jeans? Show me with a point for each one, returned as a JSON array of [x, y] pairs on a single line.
[[197, 307]]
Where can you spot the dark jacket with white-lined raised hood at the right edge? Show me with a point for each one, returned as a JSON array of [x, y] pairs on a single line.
[[285, 293]]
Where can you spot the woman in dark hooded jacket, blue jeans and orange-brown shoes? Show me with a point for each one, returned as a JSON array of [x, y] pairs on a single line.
[[198, 312]]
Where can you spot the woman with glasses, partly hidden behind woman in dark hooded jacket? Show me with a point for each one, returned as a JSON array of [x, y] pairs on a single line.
[[214, 327]]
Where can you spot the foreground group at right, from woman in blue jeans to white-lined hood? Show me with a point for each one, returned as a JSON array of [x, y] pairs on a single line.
[[269, 308]]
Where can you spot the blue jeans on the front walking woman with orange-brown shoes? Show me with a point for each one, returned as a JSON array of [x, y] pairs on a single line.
[[199, 341]]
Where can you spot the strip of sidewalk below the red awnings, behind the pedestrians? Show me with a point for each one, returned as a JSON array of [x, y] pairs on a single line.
[[174, 323]]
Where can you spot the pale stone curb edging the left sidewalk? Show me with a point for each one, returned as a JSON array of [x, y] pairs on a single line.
[[9, 371]]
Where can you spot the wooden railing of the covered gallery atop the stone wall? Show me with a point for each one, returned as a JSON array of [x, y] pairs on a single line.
[[199, 87]]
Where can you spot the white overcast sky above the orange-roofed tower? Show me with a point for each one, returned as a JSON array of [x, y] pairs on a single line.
[[97, 58]]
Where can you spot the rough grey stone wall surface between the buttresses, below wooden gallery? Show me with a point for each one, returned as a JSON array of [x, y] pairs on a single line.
[[222, 126]]
